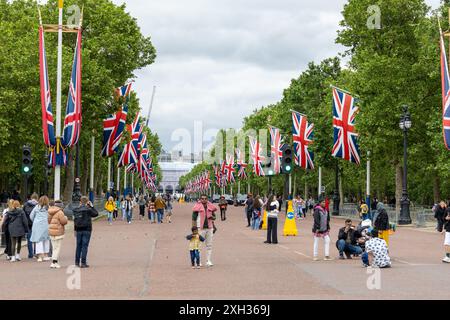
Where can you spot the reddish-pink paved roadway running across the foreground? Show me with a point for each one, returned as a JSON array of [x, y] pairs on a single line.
[[149, 261]]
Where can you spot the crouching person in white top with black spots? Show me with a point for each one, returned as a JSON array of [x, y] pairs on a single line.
[[377, 253]]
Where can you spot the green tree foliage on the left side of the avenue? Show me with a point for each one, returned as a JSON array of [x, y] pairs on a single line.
[[113, 48]]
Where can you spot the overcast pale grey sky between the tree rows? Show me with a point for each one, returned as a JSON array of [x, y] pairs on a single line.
[[219, 60]]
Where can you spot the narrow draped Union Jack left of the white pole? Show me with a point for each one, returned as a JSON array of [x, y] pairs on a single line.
[[46, 104]]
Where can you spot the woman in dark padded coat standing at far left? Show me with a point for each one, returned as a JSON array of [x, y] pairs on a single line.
[[17, 226]]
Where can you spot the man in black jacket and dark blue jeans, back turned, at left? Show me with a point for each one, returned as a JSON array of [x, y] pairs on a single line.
[[83, 227]]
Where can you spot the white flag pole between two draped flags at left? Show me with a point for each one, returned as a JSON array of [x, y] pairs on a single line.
[[57, 187]]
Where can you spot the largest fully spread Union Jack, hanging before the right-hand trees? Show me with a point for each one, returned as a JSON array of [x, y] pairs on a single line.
[[345, 136]]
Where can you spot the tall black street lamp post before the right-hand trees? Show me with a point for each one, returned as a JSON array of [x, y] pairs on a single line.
[[405, 125]]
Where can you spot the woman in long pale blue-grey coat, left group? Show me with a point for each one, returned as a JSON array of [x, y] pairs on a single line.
[[39, 233]]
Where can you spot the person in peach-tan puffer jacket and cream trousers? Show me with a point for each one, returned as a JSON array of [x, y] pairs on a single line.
[[56, 229]]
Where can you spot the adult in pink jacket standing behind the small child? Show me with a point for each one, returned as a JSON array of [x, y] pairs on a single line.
[[204, 211]]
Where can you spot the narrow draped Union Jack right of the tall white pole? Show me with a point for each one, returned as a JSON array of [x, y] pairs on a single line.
[[72, 121]]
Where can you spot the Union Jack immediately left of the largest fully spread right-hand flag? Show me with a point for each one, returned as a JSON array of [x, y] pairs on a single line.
[[302, 133]]
